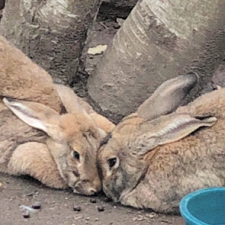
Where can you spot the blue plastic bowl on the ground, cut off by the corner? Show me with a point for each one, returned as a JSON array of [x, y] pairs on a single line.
[[204, 207]]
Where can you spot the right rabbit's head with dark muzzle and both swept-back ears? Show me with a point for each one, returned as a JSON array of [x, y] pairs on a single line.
[[124, 157]]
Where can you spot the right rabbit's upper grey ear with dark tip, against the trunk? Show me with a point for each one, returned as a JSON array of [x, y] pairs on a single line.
[[167, 97]]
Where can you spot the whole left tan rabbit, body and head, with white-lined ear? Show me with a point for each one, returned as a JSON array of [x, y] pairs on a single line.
[[61, 150]]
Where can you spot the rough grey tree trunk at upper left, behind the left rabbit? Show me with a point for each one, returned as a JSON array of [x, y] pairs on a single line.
[[51, 32]]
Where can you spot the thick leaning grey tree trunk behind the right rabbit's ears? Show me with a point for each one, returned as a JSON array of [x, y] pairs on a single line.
[[159, 40]]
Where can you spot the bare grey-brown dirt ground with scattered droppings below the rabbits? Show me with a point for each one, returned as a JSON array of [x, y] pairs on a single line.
[[57, 207]]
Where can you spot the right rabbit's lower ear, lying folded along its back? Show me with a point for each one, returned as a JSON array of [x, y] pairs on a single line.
[[170, 128]]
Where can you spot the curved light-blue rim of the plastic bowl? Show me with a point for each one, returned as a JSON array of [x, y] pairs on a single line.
[[185, 200]]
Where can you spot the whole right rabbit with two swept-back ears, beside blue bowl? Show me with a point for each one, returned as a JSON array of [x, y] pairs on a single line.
[[160, 153]]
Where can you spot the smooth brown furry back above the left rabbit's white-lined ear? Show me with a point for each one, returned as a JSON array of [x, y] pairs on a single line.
[[23, 79]]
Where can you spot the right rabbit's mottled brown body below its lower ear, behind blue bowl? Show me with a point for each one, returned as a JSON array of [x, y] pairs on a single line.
[[179, 168]]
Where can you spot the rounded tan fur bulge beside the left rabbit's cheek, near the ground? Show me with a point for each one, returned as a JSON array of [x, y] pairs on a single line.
[[35, 159]]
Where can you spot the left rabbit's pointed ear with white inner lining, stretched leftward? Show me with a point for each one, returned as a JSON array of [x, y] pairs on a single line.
[[34, 114]]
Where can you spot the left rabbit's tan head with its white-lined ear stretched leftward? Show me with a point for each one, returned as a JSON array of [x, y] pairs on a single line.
[[73, 140]]
